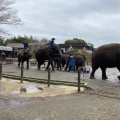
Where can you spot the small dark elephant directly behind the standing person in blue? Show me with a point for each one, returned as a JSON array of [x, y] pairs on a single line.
[[79, 62]]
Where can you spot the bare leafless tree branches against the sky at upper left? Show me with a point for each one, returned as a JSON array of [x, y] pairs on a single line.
[[8, 16]]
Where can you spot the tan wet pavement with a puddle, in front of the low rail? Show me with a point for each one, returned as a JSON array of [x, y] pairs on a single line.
[[12, 87]]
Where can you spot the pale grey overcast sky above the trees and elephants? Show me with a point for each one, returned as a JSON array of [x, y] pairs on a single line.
[[95, 21]]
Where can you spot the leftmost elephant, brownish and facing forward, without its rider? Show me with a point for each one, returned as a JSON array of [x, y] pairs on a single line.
[[24, 55]]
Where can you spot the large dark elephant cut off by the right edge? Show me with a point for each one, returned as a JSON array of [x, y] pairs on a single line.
[[105, 56]]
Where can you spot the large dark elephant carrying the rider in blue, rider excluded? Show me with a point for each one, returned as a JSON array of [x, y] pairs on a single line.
[[47, 53]]
